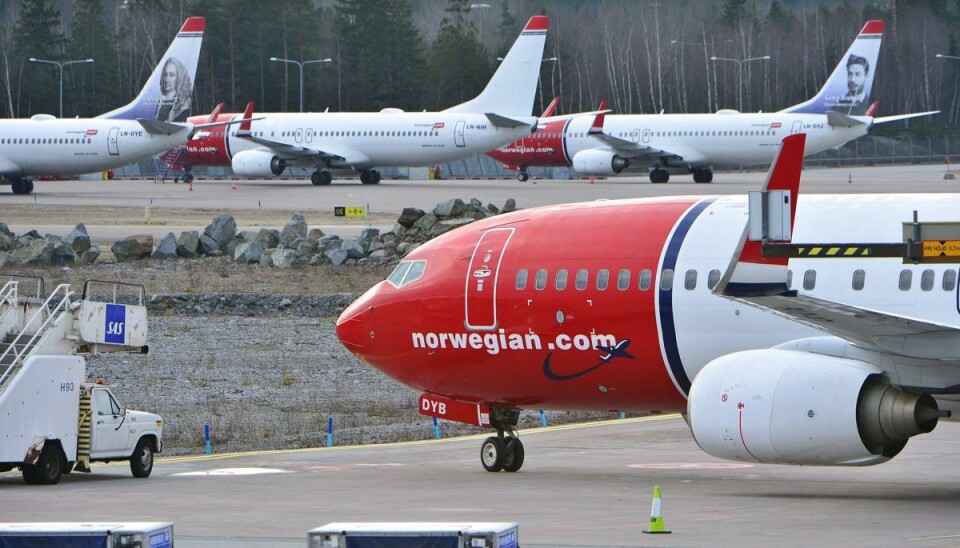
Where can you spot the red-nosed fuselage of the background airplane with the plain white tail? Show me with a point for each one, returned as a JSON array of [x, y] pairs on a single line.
[[362, 140]]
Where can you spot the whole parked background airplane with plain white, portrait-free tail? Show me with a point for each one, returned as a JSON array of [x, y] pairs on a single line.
[[391, 137]]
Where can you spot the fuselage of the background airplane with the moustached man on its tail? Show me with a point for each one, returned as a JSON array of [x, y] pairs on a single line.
[[699, 139]]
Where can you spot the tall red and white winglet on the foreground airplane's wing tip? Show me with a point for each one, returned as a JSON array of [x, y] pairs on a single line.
[[749, 273]]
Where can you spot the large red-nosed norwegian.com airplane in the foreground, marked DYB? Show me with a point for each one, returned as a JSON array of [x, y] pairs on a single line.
[[669, 305]]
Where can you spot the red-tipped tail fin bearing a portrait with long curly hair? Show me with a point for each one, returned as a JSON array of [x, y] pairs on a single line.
[[166, 97]]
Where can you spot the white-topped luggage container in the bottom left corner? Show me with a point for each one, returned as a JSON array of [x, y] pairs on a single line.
[[87, 535]]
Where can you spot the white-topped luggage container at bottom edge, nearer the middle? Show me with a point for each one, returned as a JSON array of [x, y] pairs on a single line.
[[414, 535]]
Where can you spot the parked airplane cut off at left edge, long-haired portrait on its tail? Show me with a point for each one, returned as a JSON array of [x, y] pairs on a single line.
[[44, 145]]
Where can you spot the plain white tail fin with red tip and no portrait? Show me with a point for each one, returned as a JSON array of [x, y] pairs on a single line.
[[512, 89]]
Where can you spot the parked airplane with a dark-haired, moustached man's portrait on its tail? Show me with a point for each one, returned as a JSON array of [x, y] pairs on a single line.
[[695, 142]]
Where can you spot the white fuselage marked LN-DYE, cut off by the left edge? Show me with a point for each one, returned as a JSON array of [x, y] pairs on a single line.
[[76, 146]]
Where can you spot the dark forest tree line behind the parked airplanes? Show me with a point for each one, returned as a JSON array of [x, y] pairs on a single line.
[[642, 56]]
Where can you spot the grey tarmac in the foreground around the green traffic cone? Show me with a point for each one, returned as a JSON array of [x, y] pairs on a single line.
[[581, 485]]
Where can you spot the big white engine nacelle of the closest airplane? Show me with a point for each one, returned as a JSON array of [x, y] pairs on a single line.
[[790, 407]]
